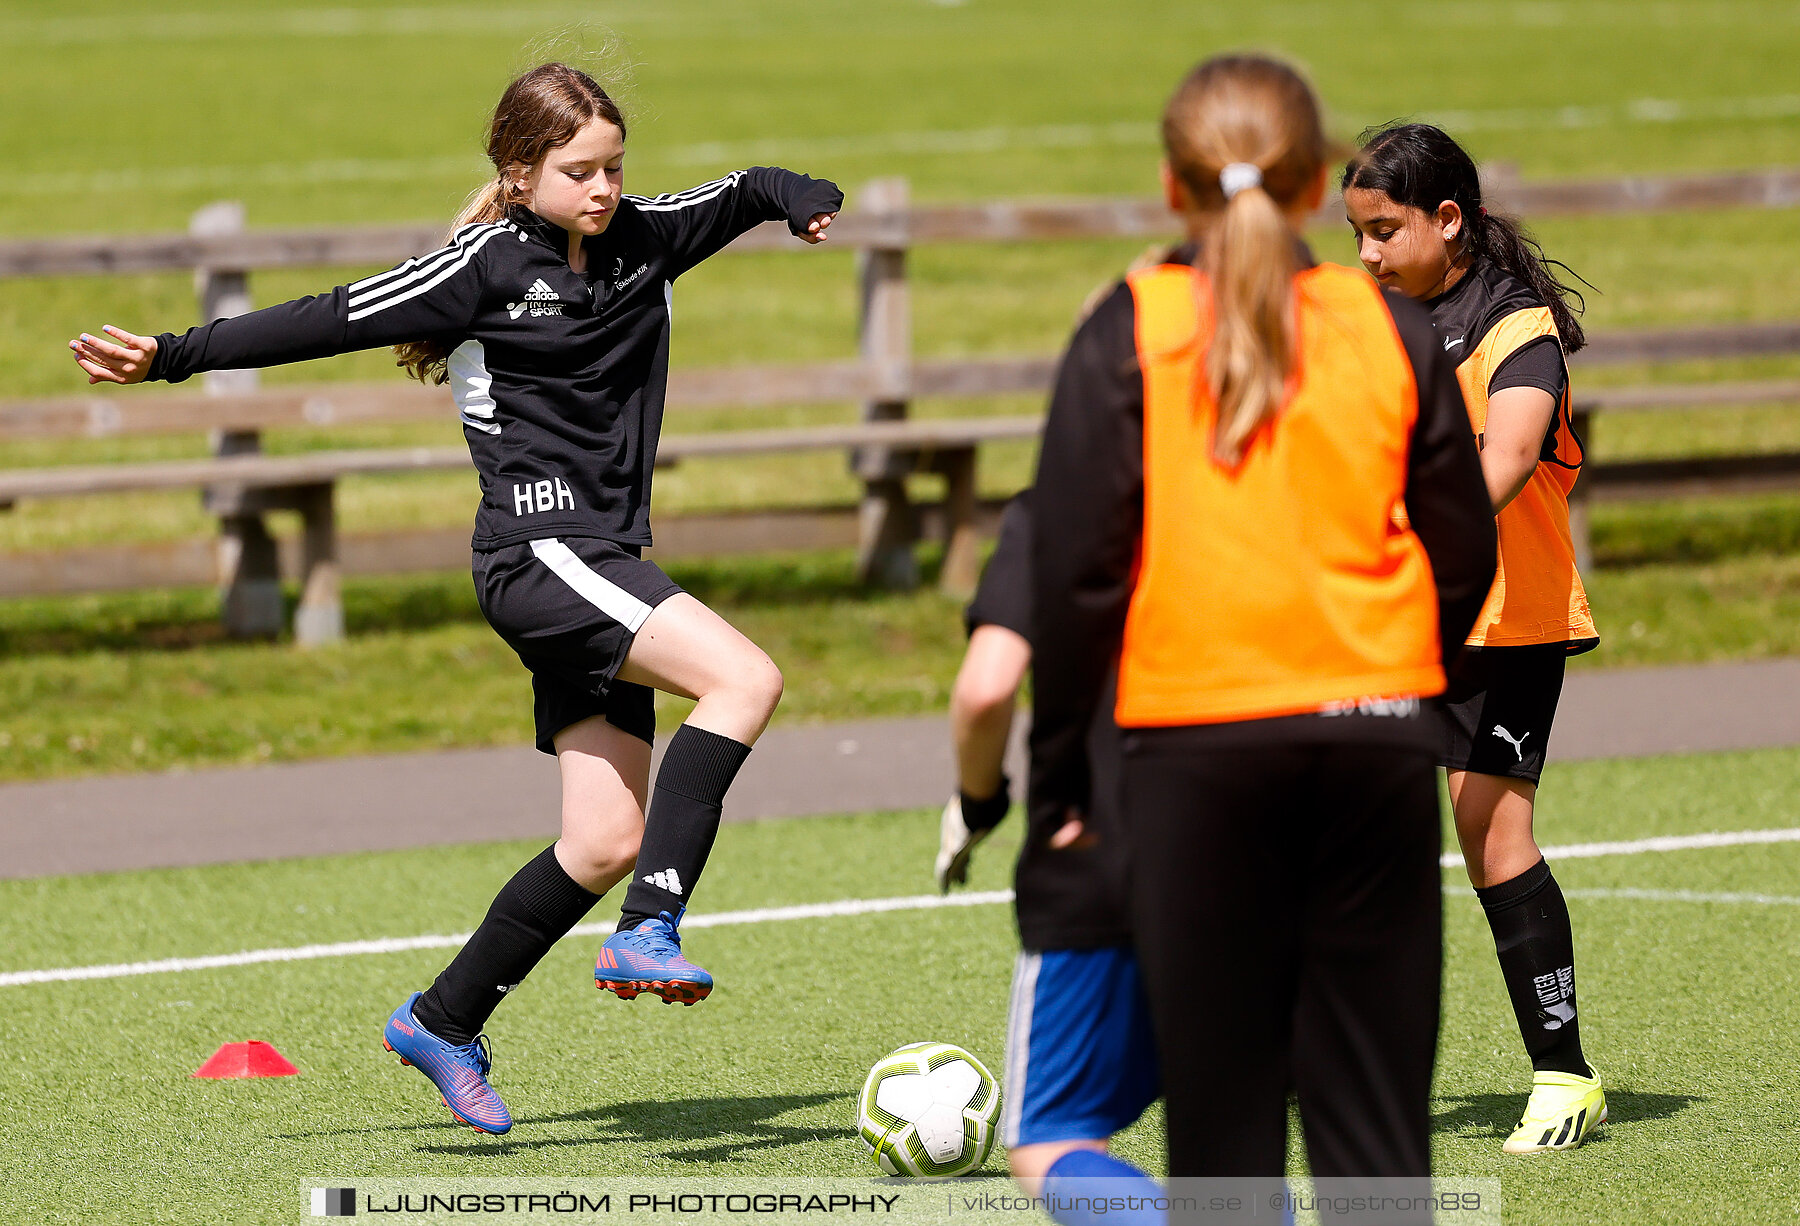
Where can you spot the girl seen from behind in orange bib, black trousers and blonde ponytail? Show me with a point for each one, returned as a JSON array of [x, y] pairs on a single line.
[[1230, 440]]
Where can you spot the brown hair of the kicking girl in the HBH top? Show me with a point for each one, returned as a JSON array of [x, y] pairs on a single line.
[[541, 111]]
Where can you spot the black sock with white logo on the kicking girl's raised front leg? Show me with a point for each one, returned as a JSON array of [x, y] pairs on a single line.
[[683, 822]]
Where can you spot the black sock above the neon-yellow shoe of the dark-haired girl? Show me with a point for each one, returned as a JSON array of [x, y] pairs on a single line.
[[1536, 950]]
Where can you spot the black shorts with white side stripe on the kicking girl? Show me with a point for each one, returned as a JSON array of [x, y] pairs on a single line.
[[571, 608]]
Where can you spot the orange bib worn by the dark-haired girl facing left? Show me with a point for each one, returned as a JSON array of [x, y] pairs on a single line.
[[1538, 595]]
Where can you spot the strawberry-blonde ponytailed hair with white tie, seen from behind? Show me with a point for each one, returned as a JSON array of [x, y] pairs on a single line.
[[1246, 141]]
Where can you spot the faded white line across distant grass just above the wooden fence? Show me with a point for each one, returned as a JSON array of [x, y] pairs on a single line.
[[960, 141]]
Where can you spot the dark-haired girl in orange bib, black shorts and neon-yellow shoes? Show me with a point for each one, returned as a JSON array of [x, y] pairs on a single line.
[[1414, 201]]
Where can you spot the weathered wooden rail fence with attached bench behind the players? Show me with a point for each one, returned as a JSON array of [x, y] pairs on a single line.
[[238, 483]]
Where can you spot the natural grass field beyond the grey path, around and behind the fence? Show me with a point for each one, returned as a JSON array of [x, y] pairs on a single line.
[[373, 131]]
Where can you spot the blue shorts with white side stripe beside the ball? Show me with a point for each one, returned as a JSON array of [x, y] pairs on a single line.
[[1081, 1058]]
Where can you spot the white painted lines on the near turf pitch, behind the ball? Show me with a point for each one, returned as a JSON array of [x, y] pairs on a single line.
[[876, 906]]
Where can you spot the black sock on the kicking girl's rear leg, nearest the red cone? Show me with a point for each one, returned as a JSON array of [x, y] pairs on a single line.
[[532, 914]]
